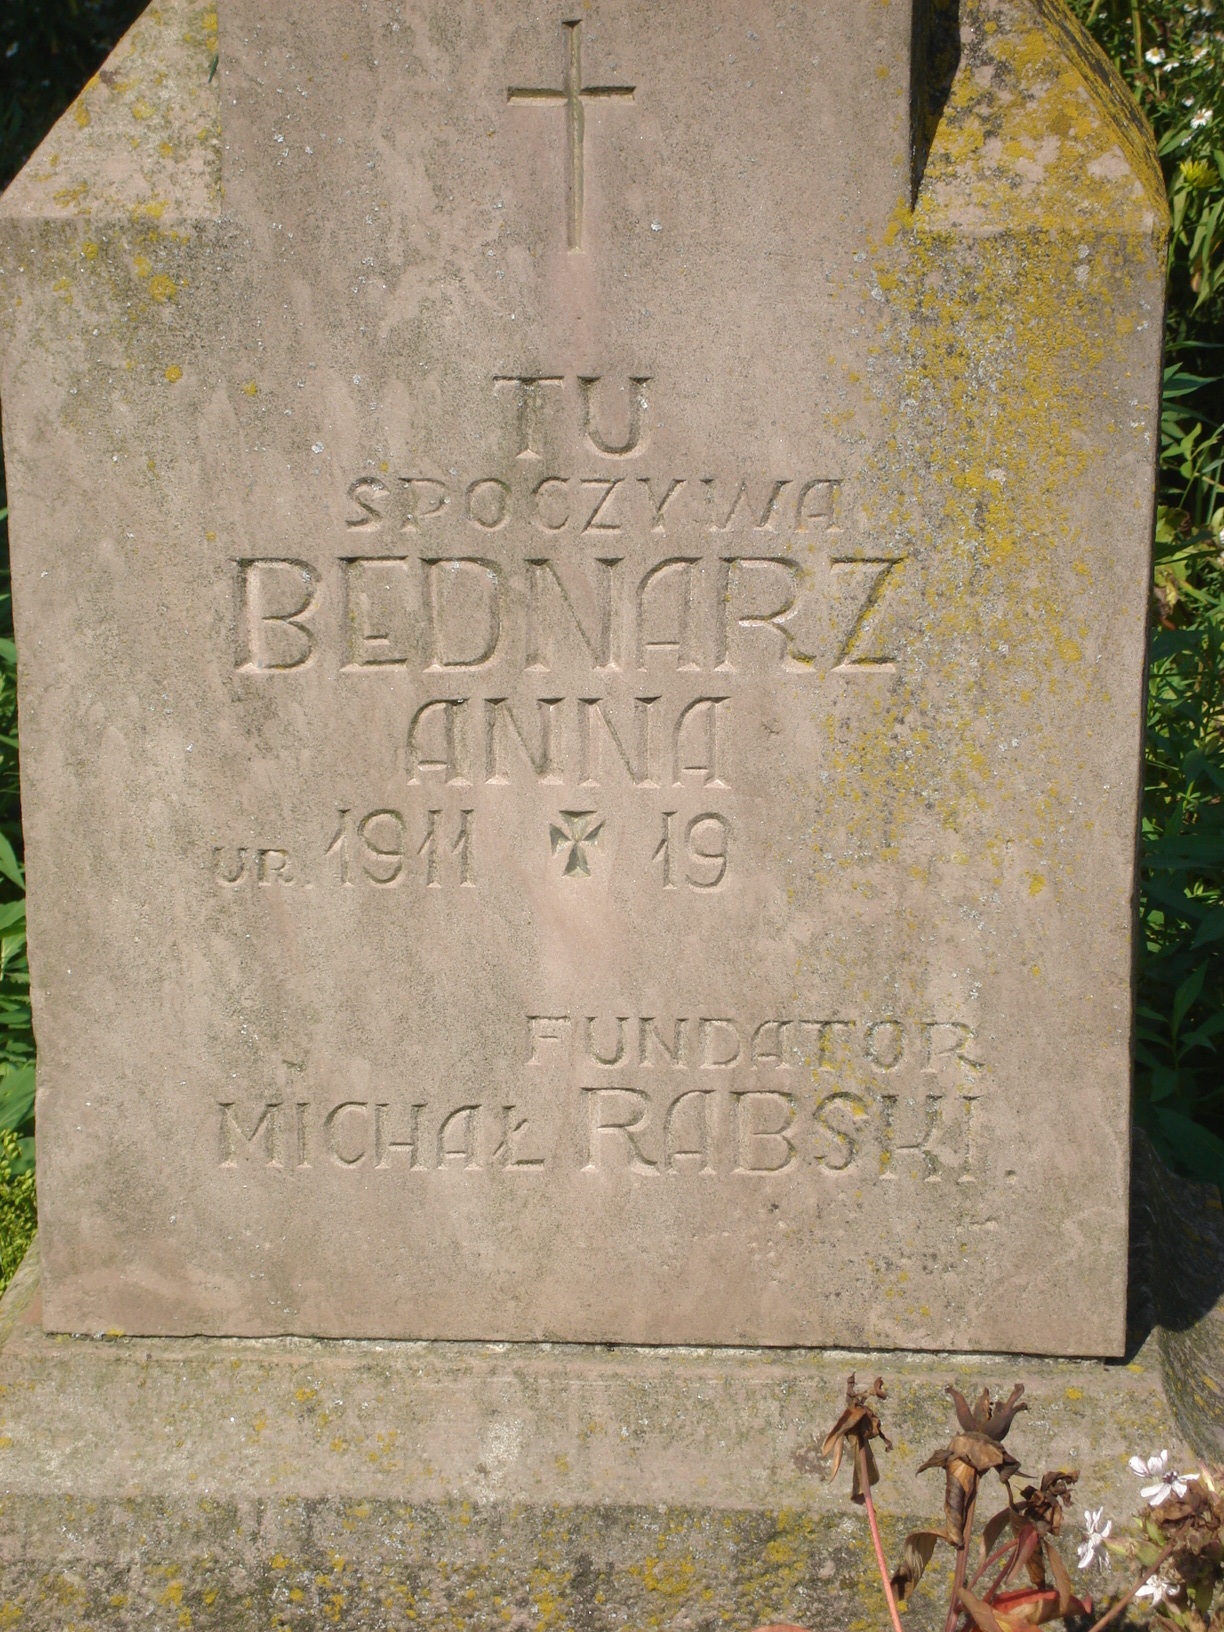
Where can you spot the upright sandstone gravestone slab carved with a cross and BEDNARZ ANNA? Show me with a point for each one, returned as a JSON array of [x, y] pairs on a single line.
[[582, 673]]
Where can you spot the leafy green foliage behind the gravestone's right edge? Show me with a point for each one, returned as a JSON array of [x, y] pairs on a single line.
[[1173, 55]]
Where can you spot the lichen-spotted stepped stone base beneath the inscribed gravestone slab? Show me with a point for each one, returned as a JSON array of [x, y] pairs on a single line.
[[280, 1481]]
